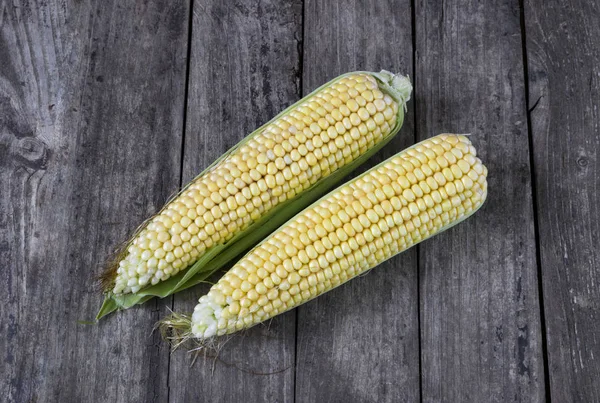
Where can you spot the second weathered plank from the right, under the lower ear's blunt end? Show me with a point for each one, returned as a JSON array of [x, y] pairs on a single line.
[[480, 322]]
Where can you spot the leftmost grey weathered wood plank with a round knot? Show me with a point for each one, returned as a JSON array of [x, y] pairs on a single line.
[[91, 106]]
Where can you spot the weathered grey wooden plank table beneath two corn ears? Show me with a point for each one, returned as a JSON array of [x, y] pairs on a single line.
[[107, 107]]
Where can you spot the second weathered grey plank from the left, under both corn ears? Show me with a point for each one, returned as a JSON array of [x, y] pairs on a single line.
[[243, 70]]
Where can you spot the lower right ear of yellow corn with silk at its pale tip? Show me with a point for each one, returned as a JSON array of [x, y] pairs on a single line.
[[412, 196]]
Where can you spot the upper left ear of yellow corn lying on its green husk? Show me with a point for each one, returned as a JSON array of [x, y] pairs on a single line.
[[257, 185]]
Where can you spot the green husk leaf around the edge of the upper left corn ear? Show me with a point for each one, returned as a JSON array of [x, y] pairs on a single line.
[[219, 255]]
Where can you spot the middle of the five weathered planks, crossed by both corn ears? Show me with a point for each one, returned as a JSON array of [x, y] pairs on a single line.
[[360, 341]]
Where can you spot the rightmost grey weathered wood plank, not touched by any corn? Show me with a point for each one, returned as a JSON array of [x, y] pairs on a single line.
[[564, 84]]
